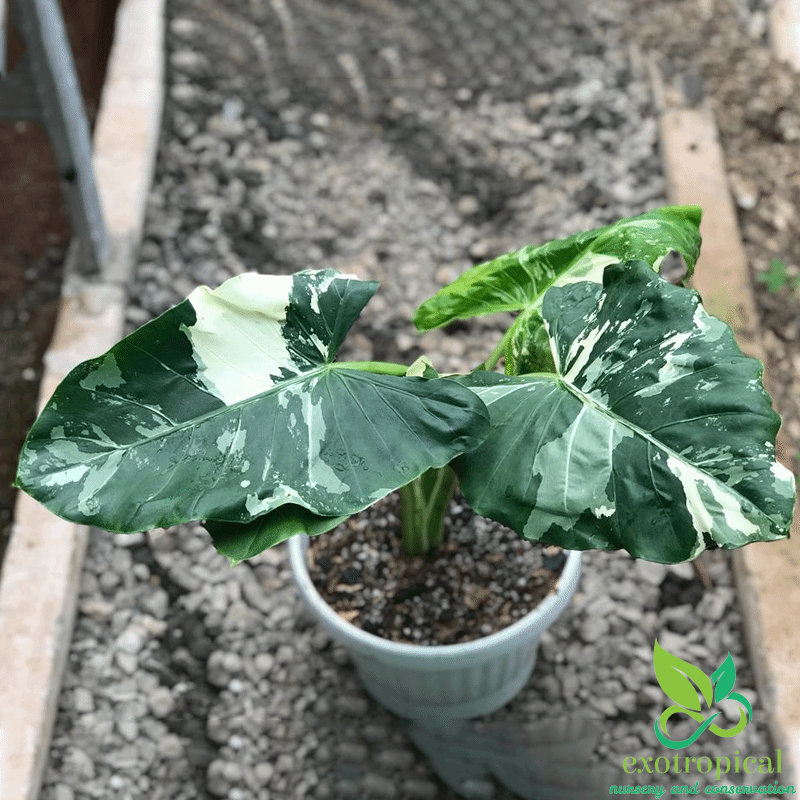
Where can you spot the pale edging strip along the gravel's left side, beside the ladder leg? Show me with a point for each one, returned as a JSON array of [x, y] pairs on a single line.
[[43, 563]]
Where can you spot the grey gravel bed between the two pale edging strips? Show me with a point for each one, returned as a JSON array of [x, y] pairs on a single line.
[[302, 135]]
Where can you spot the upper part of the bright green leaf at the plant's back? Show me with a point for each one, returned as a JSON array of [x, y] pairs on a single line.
[[518, 281]]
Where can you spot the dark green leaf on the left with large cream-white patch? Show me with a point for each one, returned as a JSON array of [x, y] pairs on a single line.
[[229, 406]]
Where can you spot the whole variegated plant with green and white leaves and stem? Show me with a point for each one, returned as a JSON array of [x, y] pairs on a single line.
[[627, 418]]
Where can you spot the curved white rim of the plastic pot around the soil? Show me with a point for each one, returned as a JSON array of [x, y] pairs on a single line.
[[540, 617]]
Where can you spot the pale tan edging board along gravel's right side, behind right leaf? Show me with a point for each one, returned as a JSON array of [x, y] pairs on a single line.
[[768, 574]]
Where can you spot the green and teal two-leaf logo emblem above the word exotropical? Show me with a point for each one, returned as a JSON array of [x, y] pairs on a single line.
[[687, 685]]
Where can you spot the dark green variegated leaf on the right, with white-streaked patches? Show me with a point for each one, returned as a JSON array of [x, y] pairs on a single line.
[[655, 434]]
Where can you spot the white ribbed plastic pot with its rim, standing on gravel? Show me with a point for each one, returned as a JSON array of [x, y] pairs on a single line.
[[441, 681]]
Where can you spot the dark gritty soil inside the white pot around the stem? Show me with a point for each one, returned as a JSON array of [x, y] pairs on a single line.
[[482, 578]]
